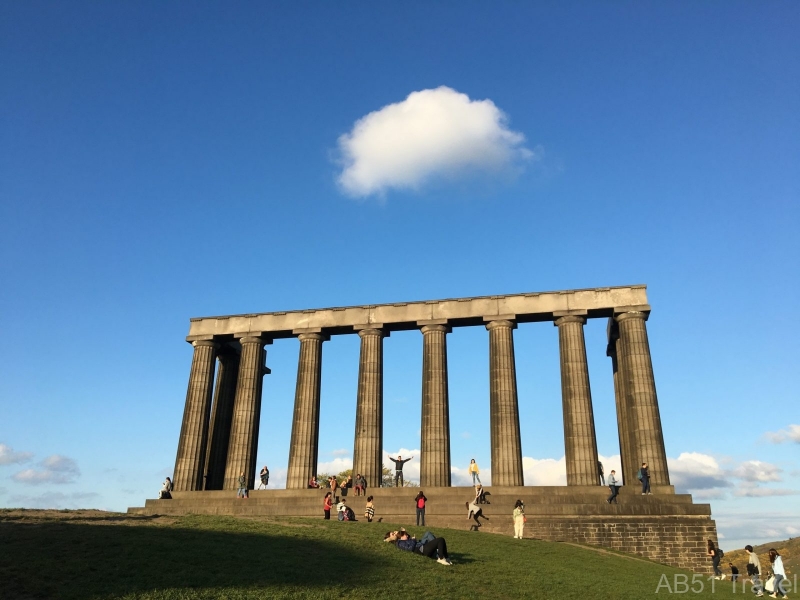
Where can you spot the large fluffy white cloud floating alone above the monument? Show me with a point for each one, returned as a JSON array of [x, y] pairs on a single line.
[[432, 133]]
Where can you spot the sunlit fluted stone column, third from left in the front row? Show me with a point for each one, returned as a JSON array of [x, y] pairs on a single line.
[[304, 446]]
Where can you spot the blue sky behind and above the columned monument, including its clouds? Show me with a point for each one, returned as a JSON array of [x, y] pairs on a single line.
[[161, 162]]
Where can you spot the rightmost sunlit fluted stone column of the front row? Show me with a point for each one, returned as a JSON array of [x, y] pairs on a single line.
[[640, 389]]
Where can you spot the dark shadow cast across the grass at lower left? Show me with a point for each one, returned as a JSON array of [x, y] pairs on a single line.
[[73, 560]]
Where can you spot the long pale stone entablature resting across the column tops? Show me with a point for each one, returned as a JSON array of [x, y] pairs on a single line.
[[456, 312]]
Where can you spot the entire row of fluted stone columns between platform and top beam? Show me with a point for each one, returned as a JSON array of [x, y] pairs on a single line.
[[219, 446]]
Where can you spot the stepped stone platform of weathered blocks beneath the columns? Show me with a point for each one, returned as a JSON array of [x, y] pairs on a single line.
[[665, 527]]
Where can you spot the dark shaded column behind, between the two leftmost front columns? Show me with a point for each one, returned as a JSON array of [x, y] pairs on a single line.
[[221, 417]]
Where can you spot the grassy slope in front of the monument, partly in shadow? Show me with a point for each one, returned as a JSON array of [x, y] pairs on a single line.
[[102, 555]]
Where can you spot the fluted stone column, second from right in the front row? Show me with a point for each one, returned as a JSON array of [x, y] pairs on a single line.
[[580, 441]]
